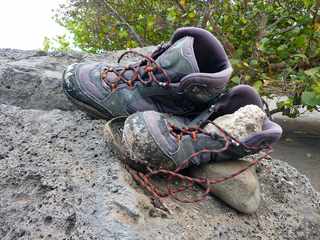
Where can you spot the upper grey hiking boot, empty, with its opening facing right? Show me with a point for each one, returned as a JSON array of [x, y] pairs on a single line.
[[182, 78]]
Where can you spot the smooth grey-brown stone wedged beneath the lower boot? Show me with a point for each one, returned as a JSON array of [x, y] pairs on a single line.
[[241, 192]]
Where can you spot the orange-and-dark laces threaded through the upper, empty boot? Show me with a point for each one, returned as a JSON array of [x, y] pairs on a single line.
[[149, 65]]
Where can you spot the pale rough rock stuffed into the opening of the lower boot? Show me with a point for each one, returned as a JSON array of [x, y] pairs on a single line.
[[240, 124]]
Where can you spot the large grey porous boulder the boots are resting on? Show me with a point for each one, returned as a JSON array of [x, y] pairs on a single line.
[[58, 179]]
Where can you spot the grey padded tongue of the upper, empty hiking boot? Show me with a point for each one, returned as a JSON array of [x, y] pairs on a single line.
[[179, 60]]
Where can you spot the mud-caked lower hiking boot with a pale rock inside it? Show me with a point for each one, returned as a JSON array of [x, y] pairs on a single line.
[[165, 141]]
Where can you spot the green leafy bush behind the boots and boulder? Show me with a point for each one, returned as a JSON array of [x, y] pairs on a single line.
[[273, 45]]
